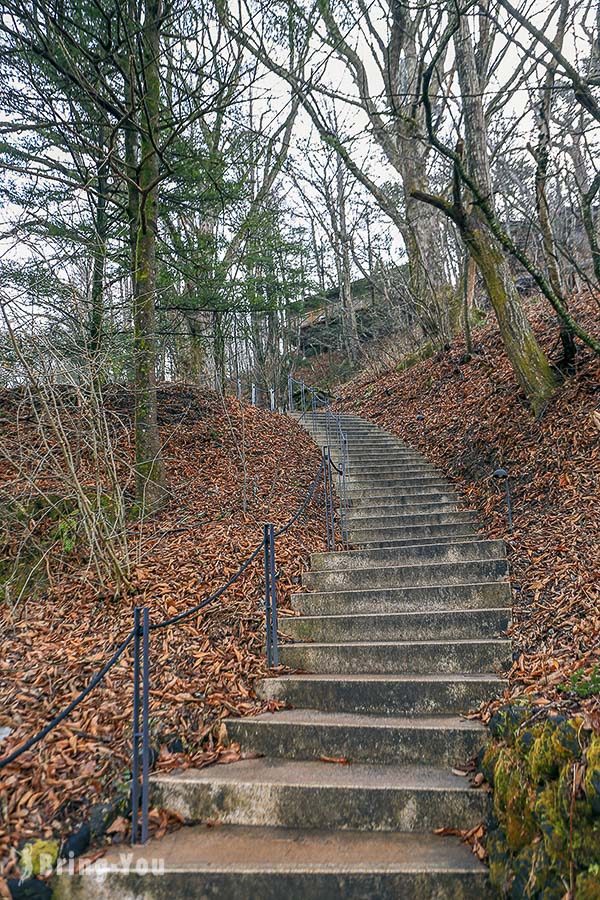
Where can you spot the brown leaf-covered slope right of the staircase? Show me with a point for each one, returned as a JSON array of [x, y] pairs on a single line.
[[474, 420]]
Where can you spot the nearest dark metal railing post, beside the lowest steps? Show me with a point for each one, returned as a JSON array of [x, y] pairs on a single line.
[[141, 708]]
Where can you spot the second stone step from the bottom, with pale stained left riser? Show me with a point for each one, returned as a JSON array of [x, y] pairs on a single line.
[[299, 794]]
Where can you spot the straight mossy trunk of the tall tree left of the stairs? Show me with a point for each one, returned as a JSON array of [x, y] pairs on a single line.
[[150, 473]]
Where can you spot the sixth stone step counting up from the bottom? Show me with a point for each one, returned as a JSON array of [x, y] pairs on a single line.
[[405, 626]]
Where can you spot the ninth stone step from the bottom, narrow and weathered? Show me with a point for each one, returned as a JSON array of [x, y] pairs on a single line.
[[426, 553]]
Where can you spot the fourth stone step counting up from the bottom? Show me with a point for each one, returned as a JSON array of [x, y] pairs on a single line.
[[384, 695]]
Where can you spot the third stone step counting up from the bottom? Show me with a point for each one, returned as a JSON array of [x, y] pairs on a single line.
[[385, 740]]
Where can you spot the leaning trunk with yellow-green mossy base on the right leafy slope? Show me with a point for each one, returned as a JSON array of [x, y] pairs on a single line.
[[528, 360]]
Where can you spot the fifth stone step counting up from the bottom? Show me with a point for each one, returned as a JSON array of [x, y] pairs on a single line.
[[398, 657]]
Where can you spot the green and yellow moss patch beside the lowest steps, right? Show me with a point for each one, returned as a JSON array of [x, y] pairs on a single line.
[[544, 834]]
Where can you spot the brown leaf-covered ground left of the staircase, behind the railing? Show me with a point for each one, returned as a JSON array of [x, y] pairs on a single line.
[[230, 468]]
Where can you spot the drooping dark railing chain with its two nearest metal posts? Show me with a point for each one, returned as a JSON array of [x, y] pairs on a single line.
[[140, 637]]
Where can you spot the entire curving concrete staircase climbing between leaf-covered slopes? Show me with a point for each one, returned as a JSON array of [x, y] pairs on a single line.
[[393, 640]]
